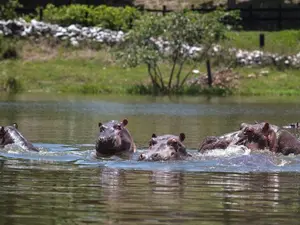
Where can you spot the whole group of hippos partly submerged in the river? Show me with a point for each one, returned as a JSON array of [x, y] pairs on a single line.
[[115, 139]]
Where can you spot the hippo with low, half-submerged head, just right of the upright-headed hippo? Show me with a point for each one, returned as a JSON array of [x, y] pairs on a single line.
[[165, 147]]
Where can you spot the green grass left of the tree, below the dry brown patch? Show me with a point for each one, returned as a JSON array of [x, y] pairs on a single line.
[[70, 75]]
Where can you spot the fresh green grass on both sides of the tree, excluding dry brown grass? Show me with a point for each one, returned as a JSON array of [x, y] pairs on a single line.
[[90, 77]]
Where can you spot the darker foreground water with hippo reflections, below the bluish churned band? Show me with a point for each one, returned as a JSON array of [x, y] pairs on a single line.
[[118, 196]]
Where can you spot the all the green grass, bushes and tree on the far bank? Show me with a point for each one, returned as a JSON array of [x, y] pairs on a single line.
[[39, 65]]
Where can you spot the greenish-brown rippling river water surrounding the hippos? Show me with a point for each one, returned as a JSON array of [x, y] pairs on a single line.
[[63, 184]]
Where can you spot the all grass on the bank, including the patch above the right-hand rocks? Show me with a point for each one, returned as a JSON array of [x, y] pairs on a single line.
[[48, 66]]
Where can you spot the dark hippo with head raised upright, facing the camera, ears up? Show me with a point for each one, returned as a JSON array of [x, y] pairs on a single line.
[[114, 139]]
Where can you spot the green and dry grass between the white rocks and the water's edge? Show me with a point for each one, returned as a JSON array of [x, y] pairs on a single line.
[[43, 64]]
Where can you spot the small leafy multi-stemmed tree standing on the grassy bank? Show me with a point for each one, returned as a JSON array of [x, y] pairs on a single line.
[[156, 40]]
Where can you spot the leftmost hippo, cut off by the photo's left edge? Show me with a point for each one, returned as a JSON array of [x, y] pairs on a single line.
[[11, 135]]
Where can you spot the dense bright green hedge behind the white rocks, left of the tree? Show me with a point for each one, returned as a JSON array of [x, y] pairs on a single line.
[[114, 18]]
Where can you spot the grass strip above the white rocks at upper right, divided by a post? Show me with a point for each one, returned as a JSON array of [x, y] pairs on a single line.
[[282, 42]]
